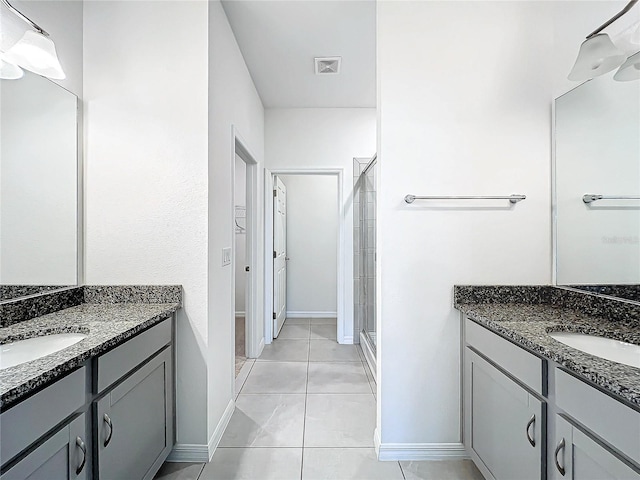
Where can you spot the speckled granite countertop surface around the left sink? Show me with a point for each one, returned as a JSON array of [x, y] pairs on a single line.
[[105, 324]]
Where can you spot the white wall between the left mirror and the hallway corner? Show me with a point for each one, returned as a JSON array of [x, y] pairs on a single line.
[[146, 163]]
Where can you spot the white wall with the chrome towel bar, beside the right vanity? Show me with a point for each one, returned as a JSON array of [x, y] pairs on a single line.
[[464, 109]]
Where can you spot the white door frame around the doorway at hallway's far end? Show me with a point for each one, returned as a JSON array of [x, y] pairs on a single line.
[[342, 264]]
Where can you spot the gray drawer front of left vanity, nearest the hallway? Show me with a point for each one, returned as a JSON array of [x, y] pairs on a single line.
[[121, 360]]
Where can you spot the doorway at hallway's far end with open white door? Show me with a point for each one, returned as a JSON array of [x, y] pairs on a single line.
[[312, 224]]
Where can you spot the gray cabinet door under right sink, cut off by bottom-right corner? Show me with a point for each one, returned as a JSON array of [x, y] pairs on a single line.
[[577, 456]]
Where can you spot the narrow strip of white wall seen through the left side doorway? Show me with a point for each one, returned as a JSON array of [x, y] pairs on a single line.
[[240, 196]]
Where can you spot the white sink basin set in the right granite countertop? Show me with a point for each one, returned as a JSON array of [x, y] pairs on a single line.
[[614, 350]]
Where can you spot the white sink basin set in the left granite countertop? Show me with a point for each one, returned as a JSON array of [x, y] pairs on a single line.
[[22, 351]]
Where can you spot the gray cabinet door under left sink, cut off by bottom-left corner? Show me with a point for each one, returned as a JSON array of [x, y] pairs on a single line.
[[65, 455]]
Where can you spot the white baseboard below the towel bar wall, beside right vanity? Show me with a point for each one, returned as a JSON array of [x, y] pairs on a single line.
[[419, 451]]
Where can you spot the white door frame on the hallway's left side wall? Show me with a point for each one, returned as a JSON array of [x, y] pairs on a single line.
[[254, 343]]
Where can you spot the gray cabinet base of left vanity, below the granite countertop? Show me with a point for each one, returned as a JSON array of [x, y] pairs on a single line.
[[110, 419]]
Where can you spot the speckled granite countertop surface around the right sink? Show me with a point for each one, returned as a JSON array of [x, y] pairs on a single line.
[[528, 325]]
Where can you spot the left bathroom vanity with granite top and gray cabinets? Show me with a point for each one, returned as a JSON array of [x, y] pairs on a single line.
[[103, 407]]
